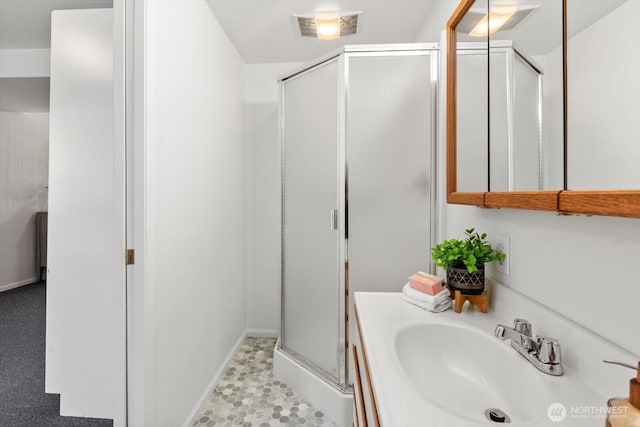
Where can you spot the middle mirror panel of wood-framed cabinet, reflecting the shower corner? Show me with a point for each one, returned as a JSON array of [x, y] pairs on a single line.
[[526, 137]]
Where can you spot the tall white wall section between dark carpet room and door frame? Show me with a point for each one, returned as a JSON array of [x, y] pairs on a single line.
[[80, 294]]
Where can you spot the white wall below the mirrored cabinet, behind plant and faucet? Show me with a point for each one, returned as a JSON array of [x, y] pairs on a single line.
[[577, 266]]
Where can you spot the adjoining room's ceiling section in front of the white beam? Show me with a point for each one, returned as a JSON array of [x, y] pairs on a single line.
[[26, 24]]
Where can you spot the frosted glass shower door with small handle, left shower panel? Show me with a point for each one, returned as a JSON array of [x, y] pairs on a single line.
[[310, 329]]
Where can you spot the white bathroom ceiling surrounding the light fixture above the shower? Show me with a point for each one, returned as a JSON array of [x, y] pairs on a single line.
[[266, 31]]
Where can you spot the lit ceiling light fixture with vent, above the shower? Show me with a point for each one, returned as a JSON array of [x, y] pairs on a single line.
[[328, 25]]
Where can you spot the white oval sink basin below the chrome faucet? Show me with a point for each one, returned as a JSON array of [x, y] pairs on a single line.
[[466, 371]]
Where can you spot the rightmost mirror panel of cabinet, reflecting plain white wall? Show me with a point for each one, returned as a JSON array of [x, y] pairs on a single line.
[[603, 86]]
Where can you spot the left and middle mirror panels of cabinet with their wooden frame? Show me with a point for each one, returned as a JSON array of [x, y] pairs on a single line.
[[512, 156]]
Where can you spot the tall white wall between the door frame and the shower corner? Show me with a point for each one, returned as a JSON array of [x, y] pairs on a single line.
[[194, 257]]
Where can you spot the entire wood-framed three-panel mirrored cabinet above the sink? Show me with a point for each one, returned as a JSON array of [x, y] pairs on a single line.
[[590, 166]]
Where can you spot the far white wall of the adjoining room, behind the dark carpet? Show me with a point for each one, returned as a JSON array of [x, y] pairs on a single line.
[[24, 169]]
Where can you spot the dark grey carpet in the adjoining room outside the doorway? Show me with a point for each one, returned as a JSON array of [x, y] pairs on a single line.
[[23, 402]]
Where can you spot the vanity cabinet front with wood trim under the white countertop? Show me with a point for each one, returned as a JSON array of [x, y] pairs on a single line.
[[364, 400]]
